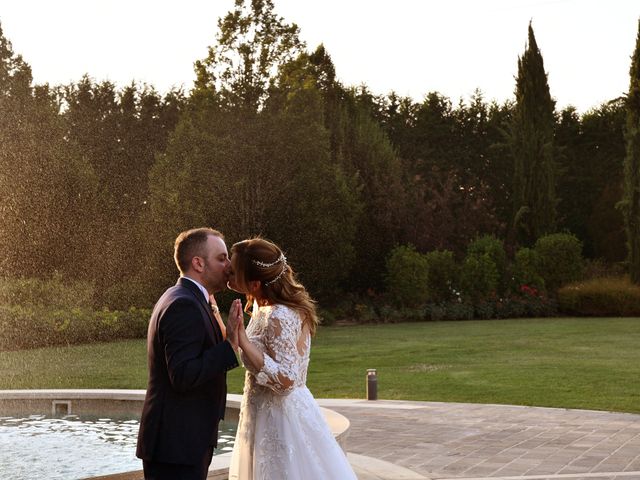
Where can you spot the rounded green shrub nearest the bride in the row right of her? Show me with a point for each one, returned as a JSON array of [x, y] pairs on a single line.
[[407, 276]]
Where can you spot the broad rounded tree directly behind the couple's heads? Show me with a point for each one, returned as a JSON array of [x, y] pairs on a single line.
[[271, 175]]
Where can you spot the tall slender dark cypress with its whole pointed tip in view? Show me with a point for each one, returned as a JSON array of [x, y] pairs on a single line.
[[531, 142]]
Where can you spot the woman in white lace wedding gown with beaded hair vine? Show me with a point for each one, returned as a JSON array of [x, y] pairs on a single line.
[[282, 433]]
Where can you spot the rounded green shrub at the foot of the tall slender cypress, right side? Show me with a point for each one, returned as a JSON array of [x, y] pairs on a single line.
[[560, 257]]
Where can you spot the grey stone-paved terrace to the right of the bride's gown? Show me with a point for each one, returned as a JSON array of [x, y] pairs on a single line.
[[471, 441]]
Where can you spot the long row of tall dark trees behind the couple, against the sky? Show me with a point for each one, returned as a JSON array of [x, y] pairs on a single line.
[[96, 181]]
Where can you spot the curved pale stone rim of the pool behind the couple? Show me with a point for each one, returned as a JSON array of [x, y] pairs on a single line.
[[74, 401]]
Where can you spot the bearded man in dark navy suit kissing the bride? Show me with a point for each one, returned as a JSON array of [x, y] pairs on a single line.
[[188, 358]]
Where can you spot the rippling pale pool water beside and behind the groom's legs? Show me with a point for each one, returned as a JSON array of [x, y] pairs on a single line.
[[72, 447]]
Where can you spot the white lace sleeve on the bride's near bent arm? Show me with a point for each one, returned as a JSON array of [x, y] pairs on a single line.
[[282, 359]]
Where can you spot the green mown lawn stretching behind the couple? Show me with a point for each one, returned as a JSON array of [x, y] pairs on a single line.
[[589, 363]]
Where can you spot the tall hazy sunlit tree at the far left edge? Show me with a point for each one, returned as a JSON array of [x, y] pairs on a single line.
[[45, 187]]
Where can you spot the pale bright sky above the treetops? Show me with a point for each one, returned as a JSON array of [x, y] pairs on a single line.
[[412, 47]]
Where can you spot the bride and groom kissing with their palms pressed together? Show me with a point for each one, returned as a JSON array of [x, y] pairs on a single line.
[[281, 432]]
